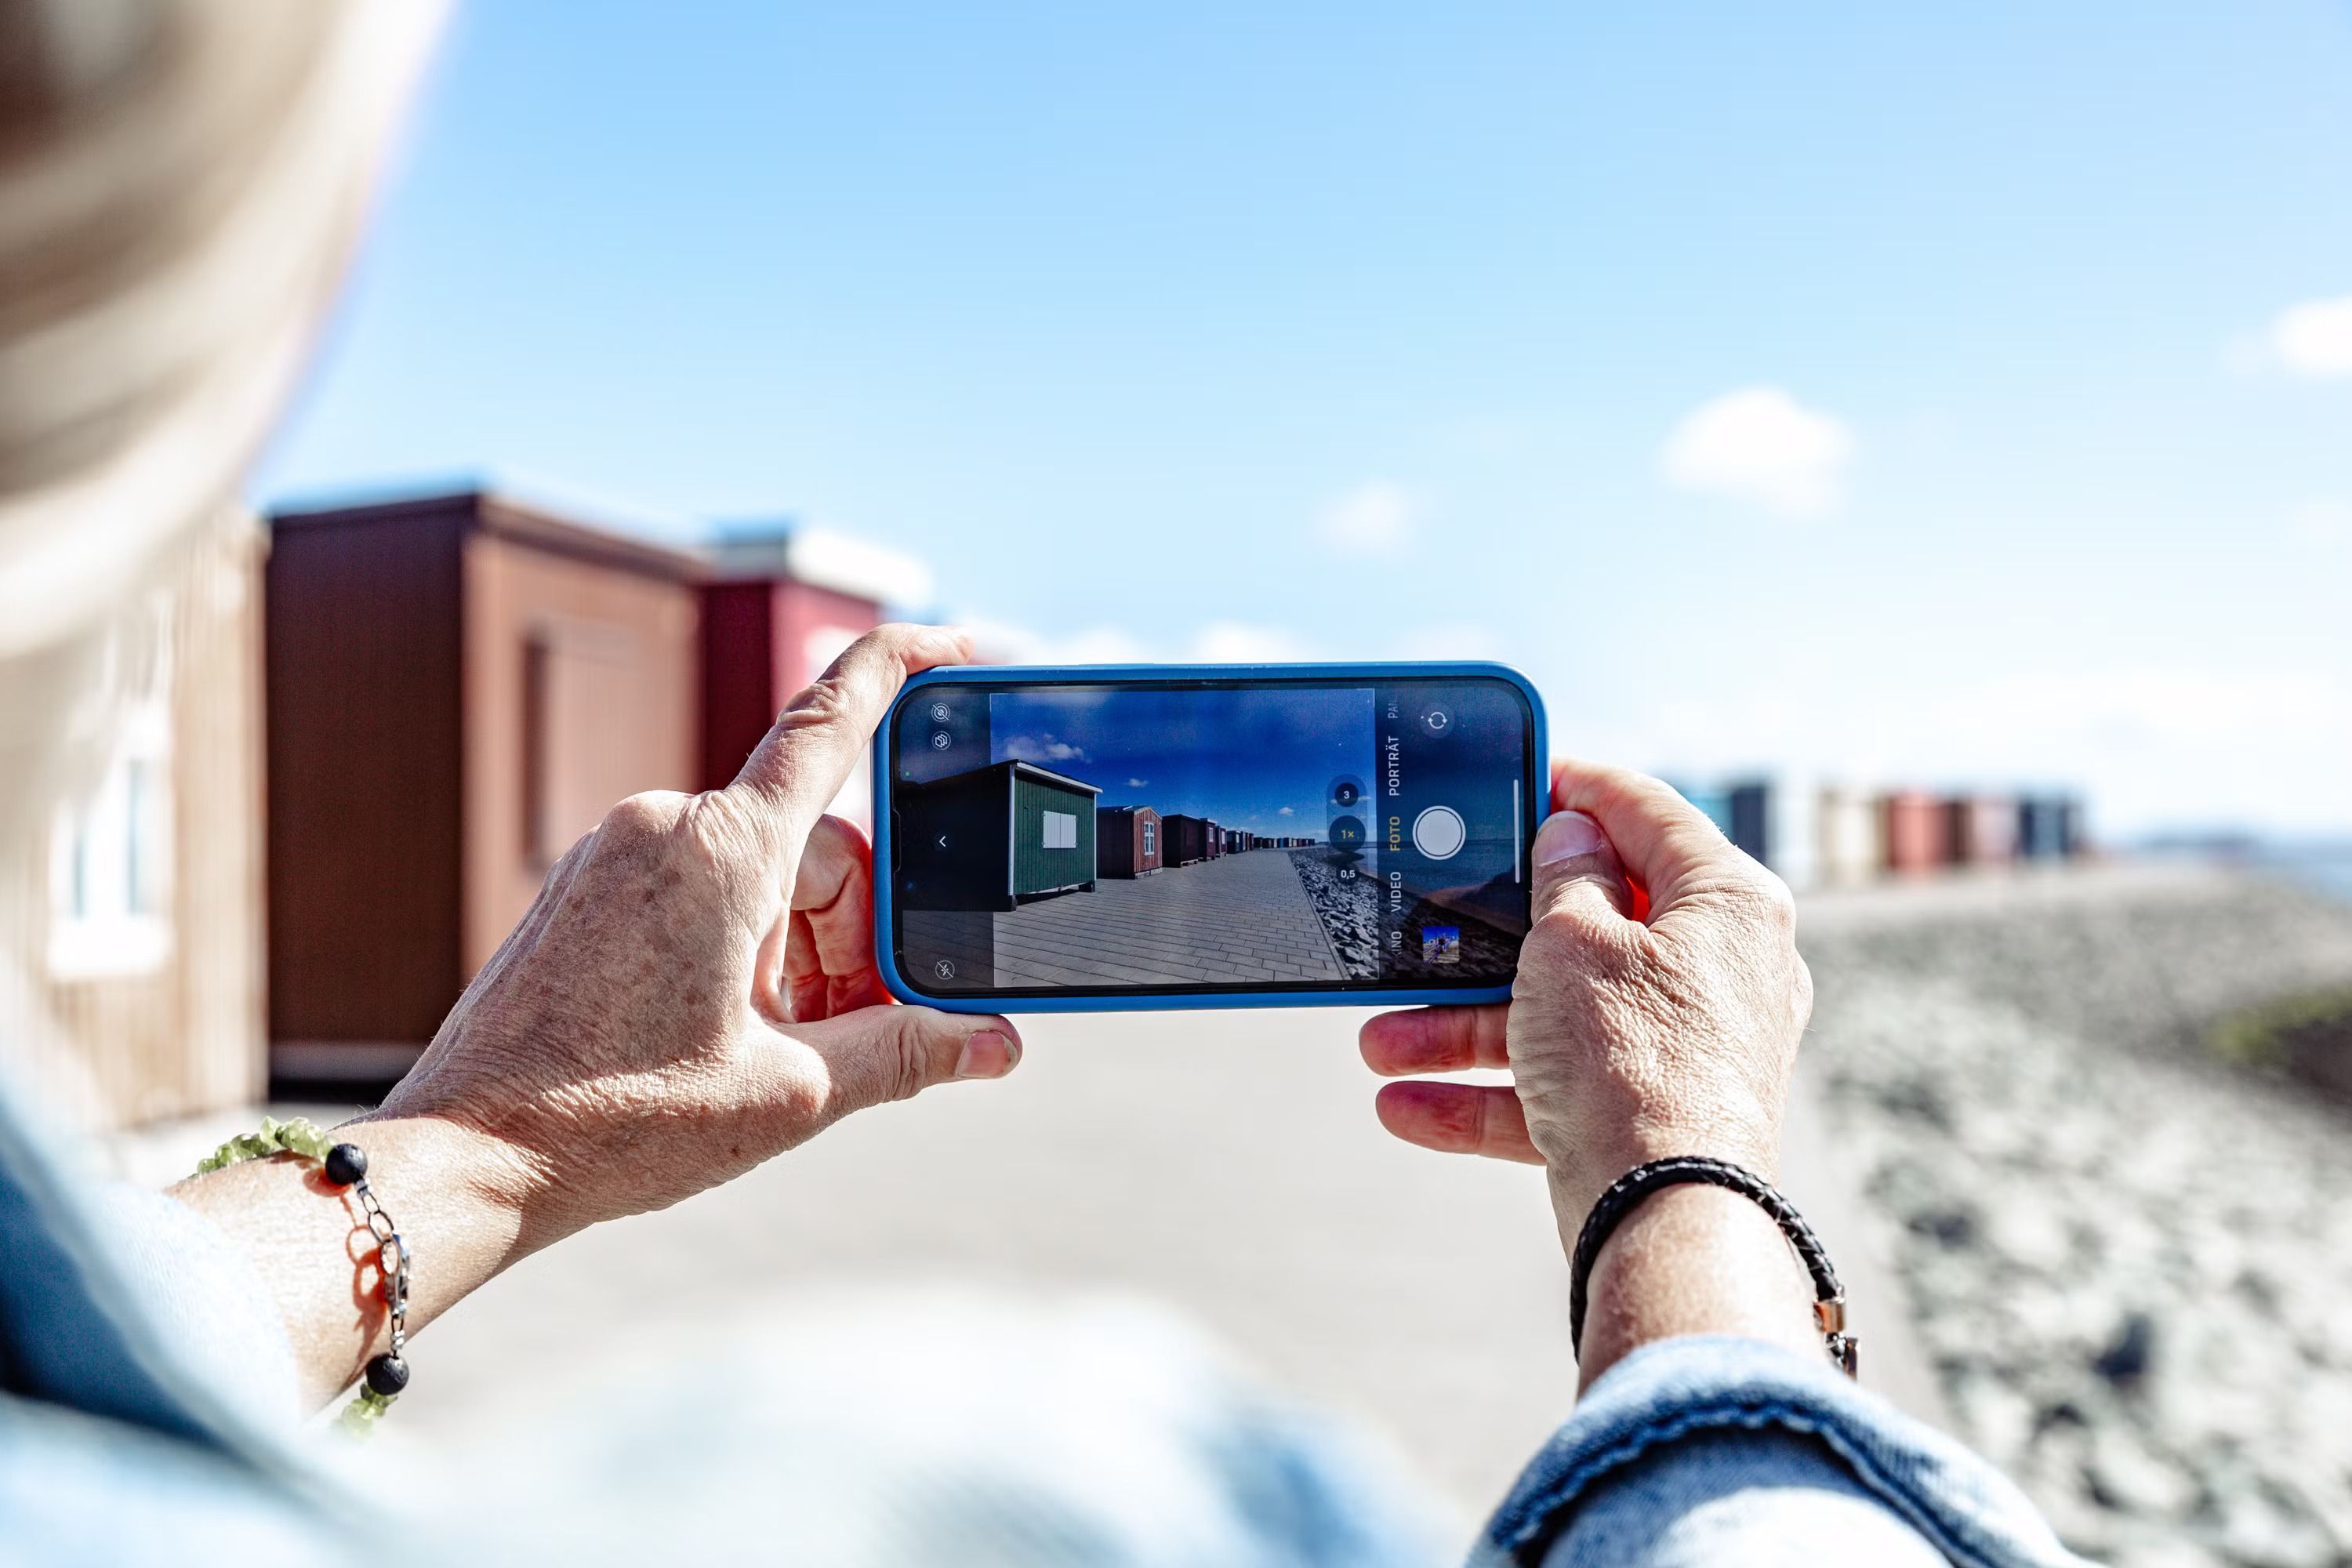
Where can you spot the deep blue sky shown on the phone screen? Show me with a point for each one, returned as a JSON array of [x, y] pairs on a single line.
[[1257, 760]]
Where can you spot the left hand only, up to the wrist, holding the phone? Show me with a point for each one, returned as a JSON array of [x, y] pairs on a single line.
[[695, 989]]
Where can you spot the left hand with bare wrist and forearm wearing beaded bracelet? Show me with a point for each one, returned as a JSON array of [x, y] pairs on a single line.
[[693, 993]]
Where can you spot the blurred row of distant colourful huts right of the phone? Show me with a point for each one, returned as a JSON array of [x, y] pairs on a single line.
[[1843, 836]]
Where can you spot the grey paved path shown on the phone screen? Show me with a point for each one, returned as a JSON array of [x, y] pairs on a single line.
[[1236, 918]]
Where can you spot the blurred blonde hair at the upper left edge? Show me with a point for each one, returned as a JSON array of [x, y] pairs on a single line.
[[180, 189]]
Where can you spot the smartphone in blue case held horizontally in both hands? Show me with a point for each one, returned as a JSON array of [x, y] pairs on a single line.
[[1205, 836]]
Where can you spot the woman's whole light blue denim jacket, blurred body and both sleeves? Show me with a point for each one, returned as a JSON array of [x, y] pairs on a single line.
[[145, 1419]]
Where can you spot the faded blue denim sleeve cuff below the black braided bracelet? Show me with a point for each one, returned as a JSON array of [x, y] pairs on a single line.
[[1732, 1452]]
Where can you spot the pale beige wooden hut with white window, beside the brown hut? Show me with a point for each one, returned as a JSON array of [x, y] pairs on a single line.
[[145, 942]]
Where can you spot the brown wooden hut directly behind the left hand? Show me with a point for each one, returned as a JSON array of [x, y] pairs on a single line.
[[457, 688]]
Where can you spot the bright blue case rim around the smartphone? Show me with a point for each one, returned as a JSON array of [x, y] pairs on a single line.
[[1135, 1000]]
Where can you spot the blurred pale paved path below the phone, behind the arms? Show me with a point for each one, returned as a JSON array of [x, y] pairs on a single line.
[[1224, 1165]]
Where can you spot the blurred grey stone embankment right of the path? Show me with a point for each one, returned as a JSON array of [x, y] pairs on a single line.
[[2130, 1264]]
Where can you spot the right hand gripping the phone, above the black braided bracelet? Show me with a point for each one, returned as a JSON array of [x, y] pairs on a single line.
[[1629, 1040]]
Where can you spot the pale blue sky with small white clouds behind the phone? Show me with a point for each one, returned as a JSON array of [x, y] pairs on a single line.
[[1939, 396]]
